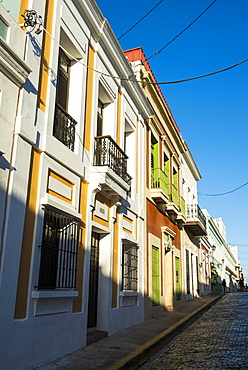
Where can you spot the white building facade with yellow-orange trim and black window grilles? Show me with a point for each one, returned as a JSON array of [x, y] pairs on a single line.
[[73, 225]]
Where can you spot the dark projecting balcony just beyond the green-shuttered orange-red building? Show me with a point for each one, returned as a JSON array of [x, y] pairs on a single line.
[[196, 221]]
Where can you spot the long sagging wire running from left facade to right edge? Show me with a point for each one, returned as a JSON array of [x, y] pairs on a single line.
[[138, 81]]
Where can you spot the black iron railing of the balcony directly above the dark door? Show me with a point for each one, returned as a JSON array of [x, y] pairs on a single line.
[[108, 153]]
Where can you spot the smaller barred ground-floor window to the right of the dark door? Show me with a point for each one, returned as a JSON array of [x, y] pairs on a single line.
[[129, 266]]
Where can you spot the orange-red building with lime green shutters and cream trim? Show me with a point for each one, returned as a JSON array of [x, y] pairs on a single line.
[[165, 205]]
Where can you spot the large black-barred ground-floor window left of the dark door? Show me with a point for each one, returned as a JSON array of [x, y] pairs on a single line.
[[59, 248]]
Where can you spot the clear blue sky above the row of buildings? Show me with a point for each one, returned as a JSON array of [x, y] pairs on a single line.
[[212, 112]]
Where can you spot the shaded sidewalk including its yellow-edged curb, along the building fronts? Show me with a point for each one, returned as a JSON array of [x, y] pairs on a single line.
[[131, 347]]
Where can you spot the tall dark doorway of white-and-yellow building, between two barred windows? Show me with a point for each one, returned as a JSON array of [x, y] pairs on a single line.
[[93, 283]]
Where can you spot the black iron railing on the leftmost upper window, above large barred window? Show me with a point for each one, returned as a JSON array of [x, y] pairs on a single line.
[[64, 127]]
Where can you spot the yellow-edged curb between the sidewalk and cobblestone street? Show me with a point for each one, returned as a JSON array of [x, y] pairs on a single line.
[[142, 354]]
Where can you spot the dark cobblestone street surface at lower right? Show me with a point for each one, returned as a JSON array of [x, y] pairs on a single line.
[[218, 340]]
